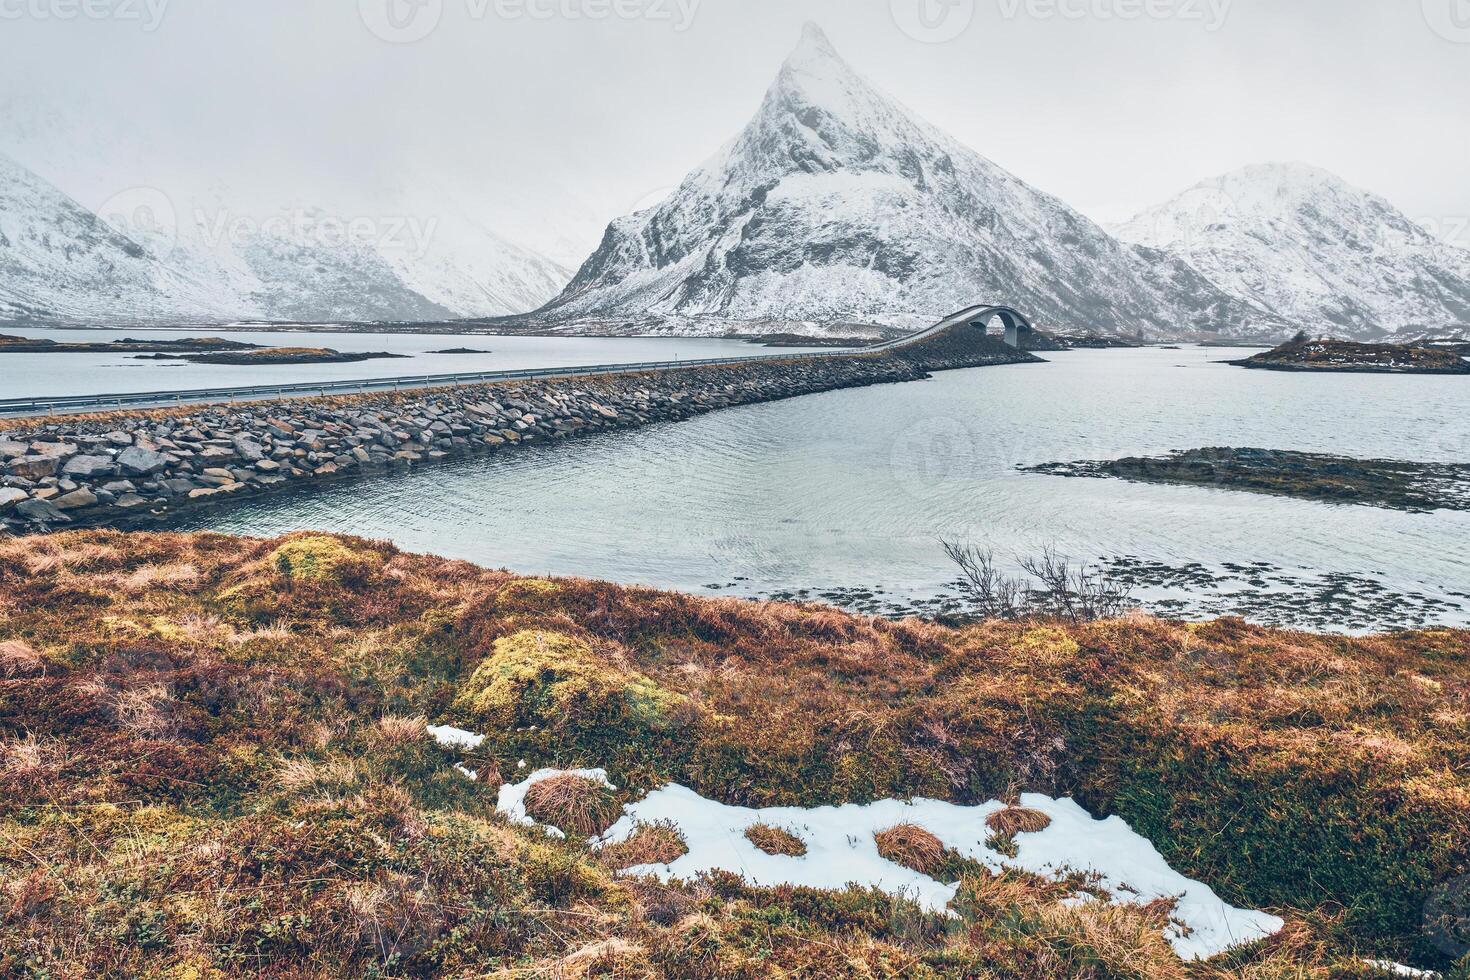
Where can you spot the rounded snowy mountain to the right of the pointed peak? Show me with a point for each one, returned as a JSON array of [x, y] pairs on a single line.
[[1319, 252]]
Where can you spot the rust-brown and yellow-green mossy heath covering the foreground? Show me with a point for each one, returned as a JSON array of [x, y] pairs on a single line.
[[211, 765]]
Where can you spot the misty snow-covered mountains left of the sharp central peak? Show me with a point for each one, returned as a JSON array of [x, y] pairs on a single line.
[[158, 262]]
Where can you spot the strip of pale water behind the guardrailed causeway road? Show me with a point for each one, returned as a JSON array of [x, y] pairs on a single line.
[[23, 375]]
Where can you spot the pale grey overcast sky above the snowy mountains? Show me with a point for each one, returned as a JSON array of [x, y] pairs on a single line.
[[556, 120]]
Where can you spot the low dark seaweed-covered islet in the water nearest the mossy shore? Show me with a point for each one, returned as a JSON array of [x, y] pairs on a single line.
[[1391, 484]]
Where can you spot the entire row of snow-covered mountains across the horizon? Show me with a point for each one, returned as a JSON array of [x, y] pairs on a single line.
[[834, 212]]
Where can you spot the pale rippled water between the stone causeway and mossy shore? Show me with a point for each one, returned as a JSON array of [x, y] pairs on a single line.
[[849, 494]]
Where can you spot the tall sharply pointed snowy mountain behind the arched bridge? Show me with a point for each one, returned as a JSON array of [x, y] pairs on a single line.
[[837, 203]]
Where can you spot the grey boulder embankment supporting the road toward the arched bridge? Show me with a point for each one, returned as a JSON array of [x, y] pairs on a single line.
[[137, 468]]
